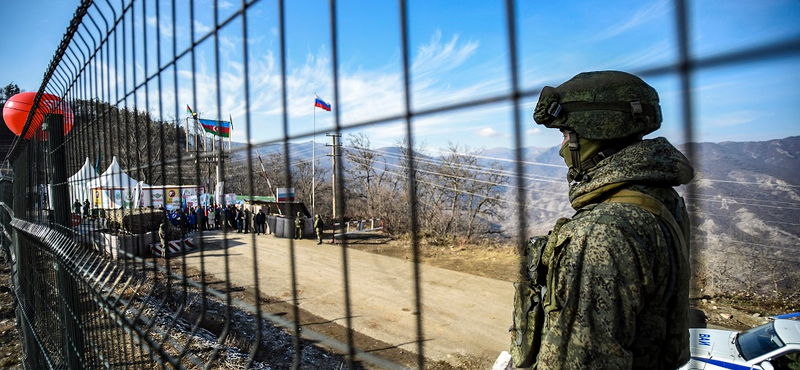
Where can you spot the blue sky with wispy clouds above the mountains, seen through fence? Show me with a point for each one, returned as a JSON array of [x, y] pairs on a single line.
[[458, 52]]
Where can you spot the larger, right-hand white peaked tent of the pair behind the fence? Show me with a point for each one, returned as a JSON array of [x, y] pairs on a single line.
[[113, 188]]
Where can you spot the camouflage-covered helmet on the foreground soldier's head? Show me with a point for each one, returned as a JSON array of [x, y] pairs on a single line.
[[604, 105]]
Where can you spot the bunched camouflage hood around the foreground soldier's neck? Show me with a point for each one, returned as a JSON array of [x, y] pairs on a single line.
[[652, 162]]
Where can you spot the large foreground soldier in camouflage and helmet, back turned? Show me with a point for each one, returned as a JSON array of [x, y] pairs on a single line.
[[617, 286]]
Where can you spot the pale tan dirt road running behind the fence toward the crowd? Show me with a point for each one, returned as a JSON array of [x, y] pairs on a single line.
[[464, 316]]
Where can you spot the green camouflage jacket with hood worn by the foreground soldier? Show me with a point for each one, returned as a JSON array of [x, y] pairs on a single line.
[[612, 302]]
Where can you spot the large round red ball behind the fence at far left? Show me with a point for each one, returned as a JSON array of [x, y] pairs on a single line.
[[15, 113]]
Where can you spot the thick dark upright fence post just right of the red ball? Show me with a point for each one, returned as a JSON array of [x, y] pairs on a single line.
[[72, 345]]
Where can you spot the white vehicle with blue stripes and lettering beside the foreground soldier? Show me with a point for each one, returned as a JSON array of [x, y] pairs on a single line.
[[772, 346]]
